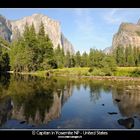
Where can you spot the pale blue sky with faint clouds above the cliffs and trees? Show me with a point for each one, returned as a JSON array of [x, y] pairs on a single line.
[[85, 28]]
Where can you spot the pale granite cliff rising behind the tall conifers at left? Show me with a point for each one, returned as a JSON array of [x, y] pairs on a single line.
[[11, 30]]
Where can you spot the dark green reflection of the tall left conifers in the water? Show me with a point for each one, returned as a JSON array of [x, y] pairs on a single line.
[[30, 97]]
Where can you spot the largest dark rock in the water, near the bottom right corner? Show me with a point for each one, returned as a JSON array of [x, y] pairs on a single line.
[[127, 123]]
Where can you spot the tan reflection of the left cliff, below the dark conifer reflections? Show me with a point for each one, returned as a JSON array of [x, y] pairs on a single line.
[[39, 116]]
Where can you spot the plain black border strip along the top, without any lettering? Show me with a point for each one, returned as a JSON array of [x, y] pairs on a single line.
[[70, 3]]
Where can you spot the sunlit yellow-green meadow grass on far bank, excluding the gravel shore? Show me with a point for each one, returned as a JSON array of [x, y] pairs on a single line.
[[86, 71]]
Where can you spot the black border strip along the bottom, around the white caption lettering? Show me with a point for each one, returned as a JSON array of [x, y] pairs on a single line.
[[119, 135]]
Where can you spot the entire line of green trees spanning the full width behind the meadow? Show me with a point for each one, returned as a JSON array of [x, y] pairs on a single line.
[[34, 51]]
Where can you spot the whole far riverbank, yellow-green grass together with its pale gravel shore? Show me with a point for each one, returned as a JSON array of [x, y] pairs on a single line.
[[121, 73]]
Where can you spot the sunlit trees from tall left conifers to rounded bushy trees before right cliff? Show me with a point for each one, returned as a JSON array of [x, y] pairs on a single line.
[[34, 51]]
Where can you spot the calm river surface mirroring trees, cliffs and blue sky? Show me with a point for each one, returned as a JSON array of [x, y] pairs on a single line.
[[31, 102]]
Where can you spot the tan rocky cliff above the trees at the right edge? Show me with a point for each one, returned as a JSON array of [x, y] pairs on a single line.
[[128, 34]]
